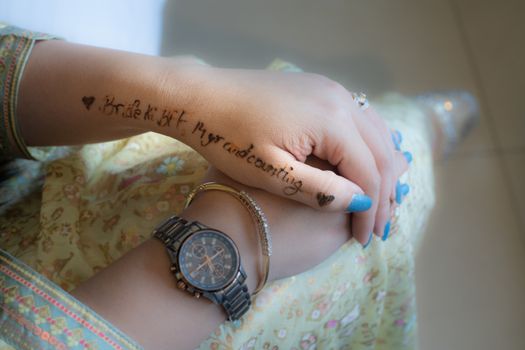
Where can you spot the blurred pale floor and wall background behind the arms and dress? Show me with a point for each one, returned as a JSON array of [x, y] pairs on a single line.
[[470, 269]]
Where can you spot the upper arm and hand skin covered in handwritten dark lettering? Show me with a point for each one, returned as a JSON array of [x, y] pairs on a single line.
[[286, 117]]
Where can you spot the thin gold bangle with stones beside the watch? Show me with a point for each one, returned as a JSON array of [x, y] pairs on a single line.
[[255, 212]]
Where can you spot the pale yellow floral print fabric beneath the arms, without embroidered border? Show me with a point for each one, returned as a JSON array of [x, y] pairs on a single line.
[[100, 201]]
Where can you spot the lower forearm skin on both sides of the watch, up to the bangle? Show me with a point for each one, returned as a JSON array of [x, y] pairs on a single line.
[[138, 293]]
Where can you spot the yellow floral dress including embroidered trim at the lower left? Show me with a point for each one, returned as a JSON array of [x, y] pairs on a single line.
[[76, 210]]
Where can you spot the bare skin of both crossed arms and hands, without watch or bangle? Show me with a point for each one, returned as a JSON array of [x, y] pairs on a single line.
[[74, 94]]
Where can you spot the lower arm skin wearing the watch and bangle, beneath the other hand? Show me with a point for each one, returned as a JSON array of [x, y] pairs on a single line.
[[139, 291]]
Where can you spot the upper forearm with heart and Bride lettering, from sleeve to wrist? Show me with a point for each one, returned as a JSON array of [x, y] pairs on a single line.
[[75, 94]]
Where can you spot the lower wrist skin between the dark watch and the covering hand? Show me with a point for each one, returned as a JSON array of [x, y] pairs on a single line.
[[301, 239]]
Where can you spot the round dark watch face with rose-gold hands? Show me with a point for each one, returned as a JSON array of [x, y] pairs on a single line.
[[209, 260]]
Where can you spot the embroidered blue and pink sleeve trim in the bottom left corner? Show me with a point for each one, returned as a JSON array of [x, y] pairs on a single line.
[[25, 293]]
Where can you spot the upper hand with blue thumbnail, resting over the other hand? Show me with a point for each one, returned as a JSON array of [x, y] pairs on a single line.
[[259, 127]]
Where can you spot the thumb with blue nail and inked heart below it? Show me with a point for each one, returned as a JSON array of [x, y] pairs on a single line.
[[319, 189]]
